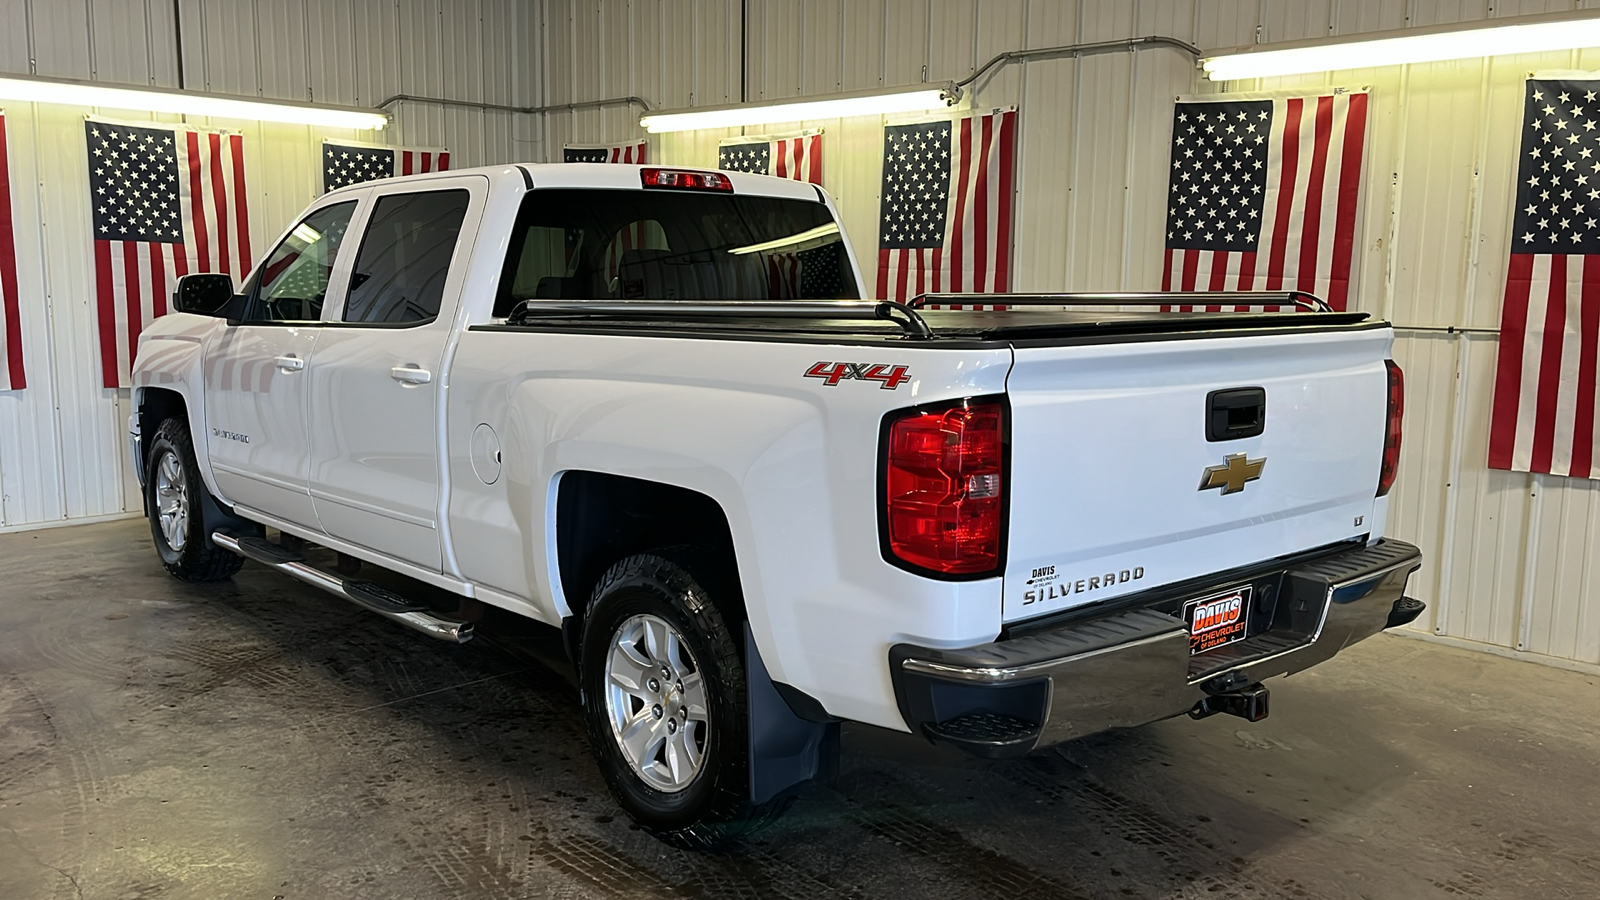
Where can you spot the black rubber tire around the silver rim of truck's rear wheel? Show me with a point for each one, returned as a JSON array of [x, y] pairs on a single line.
[[716, 806]]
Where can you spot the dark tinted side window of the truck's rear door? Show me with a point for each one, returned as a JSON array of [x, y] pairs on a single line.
[[406, 255]]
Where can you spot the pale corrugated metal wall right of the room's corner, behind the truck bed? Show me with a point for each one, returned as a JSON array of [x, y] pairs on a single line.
[[1511, 556]]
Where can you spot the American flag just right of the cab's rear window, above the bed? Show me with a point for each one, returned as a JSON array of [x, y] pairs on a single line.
[[945, 222]]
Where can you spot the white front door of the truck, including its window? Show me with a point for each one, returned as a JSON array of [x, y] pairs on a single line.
[[257, 374]]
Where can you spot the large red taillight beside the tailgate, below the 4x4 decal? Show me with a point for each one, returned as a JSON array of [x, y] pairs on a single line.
[[945, 486]]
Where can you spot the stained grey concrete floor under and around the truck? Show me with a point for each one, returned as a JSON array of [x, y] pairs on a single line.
[[262, 741]]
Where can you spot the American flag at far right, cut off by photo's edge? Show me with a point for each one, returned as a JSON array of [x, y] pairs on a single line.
[[1545, 416]]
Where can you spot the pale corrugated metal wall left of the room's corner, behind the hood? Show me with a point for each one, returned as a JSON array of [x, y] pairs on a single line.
[[62, 440]]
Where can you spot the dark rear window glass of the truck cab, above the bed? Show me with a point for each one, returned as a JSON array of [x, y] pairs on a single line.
[[586, 244]]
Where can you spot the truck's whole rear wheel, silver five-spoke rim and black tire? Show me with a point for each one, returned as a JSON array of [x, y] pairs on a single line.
[[665, 696]]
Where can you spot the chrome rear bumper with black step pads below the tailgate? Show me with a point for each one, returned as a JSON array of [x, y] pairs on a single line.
[[1134, 667]]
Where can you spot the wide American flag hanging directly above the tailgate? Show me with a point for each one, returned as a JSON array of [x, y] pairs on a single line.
[[1265, 195]]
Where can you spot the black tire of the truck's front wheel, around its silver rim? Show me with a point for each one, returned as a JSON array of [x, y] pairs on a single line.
[[198, 558]]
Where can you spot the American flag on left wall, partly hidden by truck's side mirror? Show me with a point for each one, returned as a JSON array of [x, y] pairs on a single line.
[[166, 201]]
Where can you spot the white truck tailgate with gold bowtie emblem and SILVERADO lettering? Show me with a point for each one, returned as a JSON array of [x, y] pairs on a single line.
[[1110, 452]]
